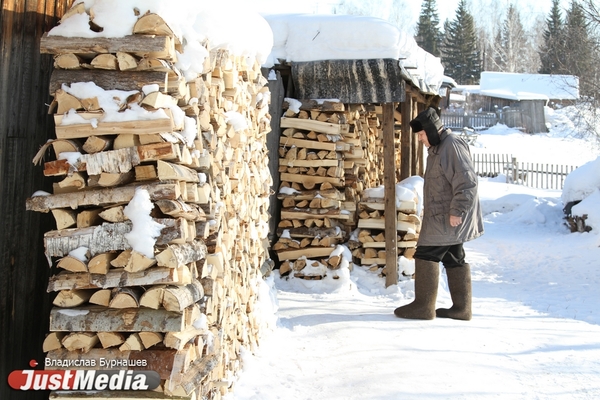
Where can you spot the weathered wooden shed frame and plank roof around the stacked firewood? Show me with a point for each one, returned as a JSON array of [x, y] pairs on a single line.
[[381, 85]]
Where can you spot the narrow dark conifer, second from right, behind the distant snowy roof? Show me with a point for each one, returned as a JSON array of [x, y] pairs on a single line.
[[553, 47]]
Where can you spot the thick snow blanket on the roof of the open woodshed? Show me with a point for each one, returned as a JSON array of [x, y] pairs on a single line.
[[310, 37]]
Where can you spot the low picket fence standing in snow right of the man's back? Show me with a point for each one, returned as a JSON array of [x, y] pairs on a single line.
[[535, 175]]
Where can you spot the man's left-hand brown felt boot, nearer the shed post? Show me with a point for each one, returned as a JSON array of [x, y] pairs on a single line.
[[426, 284]]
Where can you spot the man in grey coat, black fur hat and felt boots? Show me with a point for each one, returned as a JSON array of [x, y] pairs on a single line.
[[451, 216]]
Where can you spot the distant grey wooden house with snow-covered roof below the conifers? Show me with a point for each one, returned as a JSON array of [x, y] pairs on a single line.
[[518, 100]]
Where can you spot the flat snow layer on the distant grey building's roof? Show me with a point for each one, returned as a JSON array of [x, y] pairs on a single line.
[[529, 86]]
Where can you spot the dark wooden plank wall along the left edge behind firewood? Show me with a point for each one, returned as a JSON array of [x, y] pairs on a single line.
[[24, 127]]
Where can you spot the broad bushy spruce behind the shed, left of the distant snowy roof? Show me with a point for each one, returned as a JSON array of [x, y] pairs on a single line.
[[460, 51]]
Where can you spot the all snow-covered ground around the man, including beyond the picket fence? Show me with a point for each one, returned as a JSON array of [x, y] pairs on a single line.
[[535, 332]]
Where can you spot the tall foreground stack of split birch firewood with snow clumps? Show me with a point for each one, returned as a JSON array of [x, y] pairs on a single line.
[[198, 156]]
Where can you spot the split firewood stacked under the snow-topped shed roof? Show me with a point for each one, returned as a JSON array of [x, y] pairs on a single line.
[[319, 205]]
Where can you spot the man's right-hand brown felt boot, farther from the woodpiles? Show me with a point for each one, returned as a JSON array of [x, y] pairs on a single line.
[[459, 284]]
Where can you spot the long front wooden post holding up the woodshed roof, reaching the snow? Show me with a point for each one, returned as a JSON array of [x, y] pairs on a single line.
[[389, 181]]
